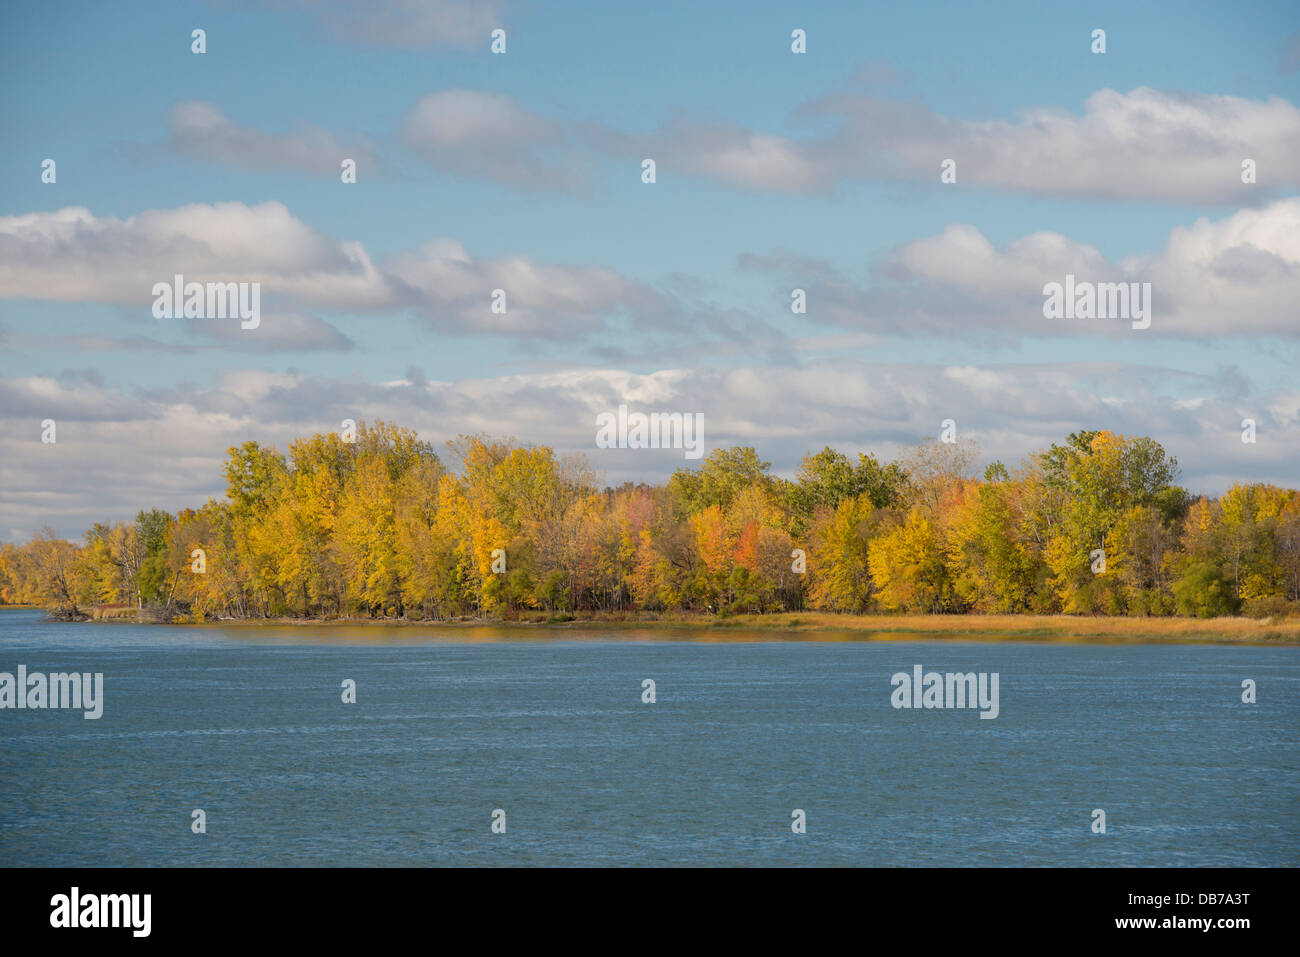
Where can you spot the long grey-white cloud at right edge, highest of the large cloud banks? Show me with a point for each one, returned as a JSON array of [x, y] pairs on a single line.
[[1146, 145]]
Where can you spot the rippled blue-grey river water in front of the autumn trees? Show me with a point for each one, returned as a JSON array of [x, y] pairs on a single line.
[[449, 726]]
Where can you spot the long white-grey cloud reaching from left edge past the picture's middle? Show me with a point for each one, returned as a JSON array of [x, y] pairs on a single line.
[[72, 256]]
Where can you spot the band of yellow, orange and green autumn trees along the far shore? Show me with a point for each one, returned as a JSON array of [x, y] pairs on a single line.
[[384, 529]]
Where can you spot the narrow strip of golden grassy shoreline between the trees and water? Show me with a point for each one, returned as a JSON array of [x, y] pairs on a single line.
[[1042, 629]]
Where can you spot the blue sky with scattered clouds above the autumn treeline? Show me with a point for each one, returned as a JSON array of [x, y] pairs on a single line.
[[523, 171]]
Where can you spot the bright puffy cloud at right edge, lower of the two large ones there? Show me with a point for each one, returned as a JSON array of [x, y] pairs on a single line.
[[1224, 278]]
